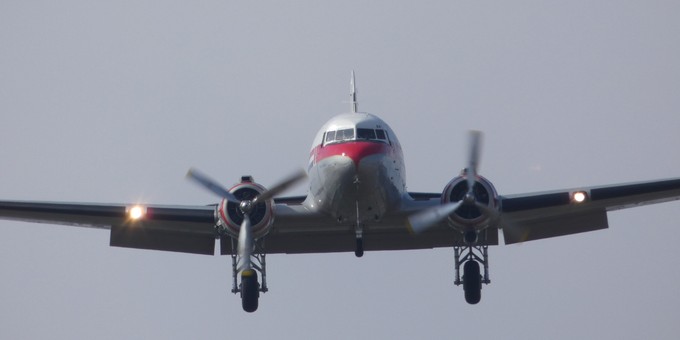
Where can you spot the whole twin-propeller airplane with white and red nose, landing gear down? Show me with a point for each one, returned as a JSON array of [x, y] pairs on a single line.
[[357, 201]]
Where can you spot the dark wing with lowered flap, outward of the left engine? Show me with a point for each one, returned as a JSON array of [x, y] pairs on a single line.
[[188, 229]]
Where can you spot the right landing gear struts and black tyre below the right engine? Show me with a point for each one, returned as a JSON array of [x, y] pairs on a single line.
[[472, 280]]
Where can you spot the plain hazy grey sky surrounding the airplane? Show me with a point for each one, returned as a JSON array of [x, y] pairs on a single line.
[[114, 101]]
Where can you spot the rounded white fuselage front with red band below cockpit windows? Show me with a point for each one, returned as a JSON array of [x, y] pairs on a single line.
[[356, 169]]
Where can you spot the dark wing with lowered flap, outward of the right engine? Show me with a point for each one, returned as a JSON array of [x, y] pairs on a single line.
[[535, 216]]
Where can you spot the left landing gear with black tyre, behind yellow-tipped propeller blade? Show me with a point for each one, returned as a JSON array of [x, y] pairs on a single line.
[[249, 288]]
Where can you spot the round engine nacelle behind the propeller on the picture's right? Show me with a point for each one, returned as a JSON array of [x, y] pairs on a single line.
[[468, 216]]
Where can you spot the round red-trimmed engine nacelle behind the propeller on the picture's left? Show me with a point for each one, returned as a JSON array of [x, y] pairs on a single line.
[[231, 217]]
